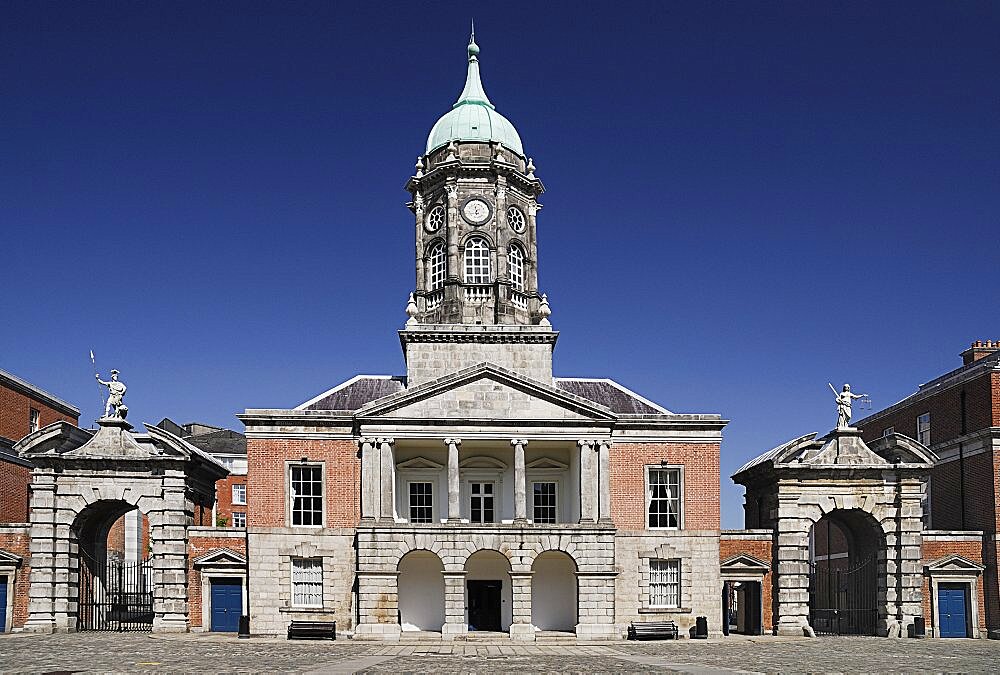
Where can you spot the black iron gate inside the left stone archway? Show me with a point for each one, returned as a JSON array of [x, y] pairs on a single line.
[[115, 595]]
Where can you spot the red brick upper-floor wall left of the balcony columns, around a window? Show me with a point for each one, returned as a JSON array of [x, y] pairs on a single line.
[[266, 479]]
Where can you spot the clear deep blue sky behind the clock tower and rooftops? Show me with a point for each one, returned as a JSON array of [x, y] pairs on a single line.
[[745, 200]]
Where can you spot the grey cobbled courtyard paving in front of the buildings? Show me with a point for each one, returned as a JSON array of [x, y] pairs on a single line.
[[107, 652]]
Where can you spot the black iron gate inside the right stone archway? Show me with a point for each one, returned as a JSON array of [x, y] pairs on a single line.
[[844, 601]]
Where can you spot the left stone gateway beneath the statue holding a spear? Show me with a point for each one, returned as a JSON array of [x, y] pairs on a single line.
[[83, 483]]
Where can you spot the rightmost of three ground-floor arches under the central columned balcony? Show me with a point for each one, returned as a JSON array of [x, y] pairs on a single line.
[[554, 592]]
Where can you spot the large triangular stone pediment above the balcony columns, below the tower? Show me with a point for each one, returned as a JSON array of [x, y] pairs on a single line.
[[486, 391]]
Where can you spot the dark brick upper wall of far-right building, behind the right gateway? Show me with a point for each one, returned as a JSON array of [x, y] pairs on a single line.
[[946, 412]]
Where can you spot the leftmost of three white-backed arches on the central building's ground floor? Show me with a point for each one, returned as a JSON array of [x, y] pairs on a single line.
[[421, 592]]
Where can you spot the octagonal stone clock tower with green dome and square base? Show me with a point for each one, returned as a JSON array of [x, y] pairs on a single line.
[[475, 202]]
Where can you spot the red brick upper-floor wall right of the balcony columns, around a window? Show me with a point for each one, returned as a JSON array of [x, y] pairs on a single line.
[[701, 482]]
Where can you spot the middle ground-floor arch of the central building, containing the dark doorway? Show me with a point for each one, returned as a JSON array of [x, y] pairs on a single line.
[[488, 596]]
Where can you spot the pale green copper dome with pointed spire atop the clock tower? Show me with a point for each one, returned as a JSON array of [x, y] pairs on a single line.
[[473, 117]]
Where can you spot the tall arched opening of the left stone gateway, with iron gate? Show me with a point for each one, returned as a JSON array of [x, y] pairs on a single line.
[[115, 582]]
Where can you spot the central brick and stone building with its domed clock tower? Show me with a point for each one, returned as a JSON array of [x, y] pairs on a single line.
[[479, 492]]
